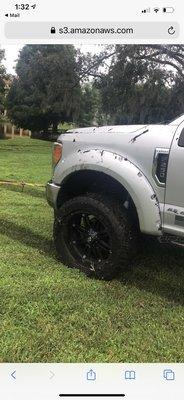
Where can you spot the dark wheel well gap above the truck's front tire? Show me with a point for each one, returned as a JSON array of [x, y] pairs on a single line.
[[81, 182]]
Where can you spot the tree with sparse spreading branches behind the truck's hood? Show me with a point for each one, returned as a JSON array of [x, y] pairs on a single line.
[[137, 88]]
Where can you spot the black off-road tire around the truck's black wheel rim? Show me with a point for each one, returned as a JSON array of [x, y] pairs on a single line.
[[122, 231]]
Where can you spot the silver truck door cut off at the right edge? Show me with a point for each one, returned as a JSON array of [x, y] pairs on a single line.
[[174, 197]]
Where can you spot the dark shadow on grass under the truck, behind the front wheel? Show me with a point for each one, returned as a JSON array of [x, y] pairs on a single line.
[[159, 269]]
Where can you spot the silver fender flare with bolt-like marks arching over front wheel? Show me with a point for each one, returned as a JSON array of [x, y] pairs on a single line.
[[127, 174]]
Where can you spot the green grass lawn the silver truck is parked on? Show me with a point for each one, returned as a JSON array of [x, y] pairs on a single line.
[[50, 313]]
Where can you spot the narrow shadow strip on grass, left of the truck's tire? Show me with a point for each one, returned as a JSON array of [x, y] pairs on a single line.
[[27, 237]]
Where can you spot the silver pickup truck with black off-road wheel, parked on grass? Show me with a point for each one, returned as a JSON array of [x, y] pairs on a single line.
[[112, 184]]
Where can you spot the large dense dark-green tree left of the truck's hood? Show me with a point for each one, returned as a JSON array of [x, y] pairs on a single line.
[[46, 90]]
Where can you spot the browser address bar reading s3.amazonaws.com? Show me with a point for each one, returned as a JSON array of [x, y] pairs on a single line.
[[92, 30]]
